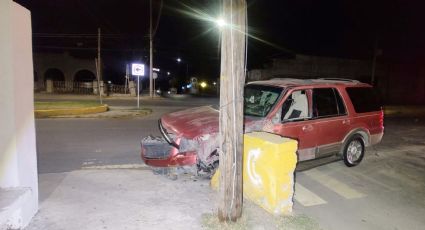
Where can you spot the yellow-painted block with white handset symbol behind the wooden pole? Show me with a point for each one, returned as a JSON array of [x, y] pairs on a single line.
[[268, 171]]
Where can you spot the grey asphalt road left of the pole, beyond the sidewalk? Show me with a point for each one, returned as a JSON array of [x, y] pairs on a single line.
[[69, 144]]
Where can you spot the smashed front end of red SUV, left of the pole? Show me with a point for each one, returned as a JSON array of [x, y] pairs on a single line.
[[188, 138]]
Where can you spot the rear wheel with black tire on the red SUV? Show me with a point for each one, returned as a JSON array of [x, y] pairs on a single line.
[[354, 151]]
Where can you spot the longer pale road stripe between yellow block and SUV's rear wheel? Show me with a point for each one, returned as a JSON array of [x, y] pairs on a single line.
[[333, 184]]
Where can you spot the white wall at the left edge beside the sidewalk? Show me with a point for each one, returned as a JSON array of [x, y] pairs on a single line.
[[18, 159]]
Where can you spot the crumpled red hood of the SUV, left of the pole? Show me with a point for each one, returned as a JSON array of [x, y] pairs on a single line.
[[193, 122]]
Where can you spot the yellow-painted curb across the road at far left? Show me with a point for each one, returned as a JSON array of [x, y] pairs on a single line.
[[44, 113]]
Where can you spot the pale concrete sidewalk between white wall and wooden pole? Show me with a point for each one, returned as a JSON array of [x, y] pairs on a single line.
[[121, 199]]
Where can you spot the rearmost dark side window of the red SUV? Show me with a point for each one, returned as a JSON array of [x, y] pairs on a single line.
[[364, 99]]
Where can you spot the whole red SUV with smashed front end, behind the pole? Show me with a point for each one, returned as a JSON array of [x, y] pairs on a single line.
[[327, 117]]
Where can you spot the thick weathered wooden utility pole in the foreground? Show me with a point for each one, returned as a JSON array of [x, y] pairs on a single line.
[[232, 80]]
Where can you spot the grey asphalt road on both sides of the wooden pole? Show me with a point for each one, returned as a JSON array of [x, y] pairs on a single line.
[[386, 191]]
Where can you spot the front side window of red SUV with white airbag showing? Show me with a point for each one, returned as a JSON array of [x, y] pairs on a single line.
[[296, 106]]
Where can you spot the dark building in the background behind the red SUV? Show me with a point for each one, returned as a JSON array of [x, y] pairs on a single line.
[[397, 82]]
